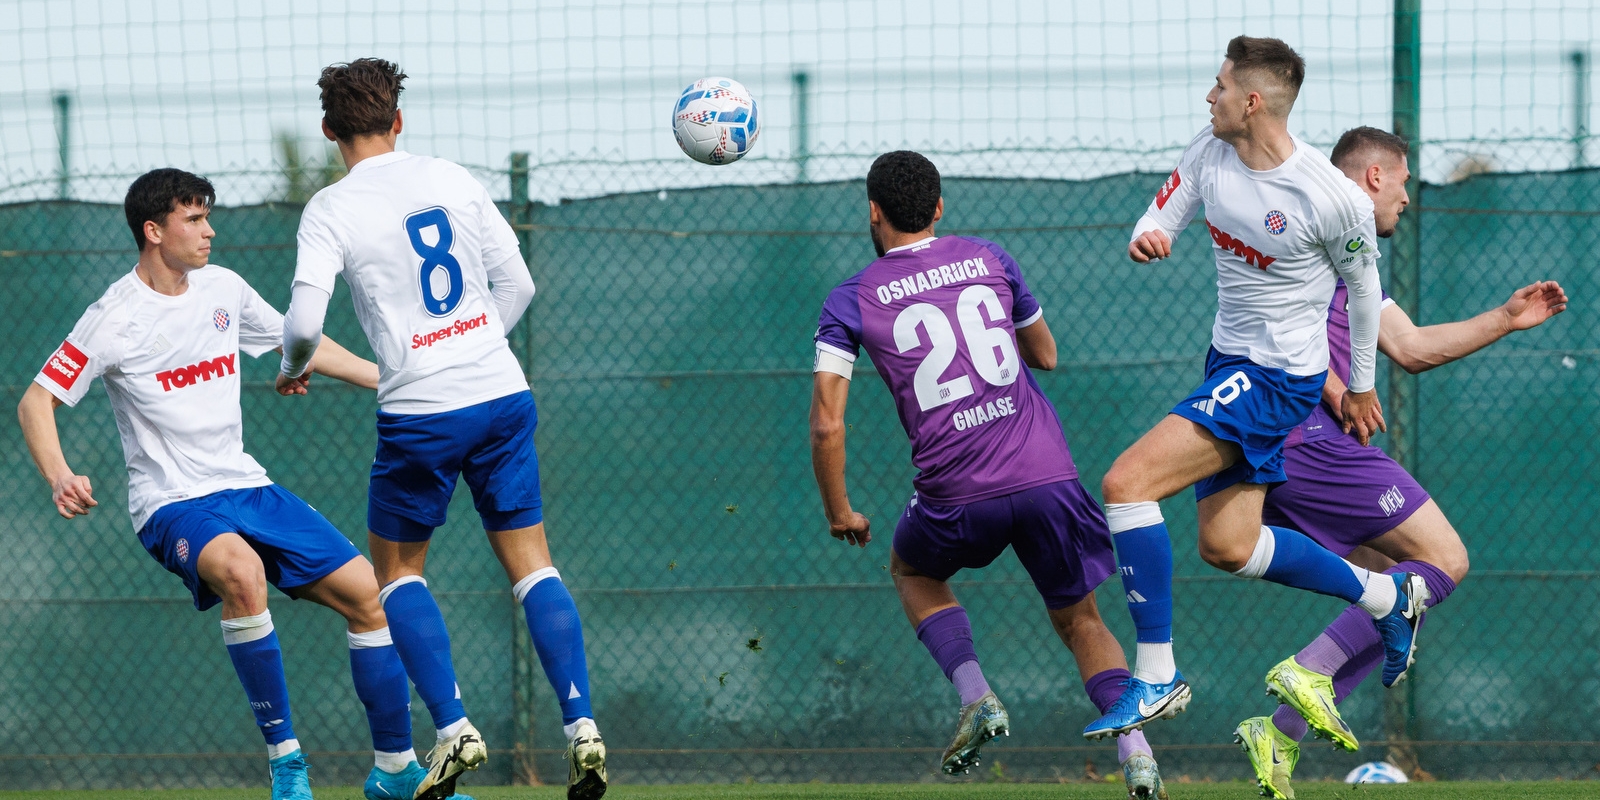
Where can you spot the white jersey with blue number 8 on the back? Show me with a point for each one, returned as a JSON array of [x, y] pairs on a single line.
[[417, 239]]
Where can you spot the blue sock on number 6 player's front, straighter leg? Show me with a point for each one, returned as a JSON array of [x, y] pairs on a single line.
[[1145, 558]]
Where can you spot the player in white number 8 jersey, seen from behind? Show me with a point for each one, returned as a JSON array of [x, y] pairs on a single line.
[[420, 242]]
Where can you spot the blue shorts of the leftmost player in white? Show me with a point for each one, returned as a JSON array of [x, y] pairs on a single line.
[[295, 543]]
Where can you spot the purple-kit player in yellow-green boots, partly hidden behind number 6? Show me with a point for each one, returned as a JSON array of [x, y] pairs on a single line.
[[1350, 497]]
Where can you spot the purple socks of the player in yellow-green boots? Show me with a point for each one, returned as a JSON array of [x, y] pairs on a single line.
[[1351, 649]]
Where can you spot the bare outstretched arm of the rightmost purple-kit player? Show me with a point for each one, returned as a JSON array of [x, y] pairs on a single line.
[[1418, 350]]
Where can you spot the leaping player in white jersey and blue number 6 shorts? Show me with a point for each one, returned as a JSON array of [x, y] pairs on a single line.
[[1286, 226]]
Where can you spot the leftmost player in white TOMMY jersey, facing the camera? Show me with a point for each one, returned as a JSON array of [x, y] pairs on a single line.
[[166, 338]]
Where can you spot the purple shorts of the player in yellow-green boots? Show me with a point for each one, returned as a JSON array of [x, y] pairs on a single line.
[[1342, 494]]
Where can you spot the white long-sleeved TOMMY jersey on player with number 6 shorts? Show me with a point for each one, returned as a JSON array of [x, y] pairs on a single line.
[[1282, 239]]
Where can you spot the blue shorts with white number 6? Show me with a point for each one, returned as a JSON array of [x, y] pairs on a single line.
[[1255, 407]]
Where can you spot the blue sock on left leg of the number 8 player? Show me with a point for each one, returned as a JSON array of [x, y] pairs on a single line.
[[420, 638]]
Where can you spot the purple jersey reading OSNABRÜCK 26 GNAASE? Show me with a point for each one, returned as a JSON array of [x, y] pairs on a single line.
[[938, 321]]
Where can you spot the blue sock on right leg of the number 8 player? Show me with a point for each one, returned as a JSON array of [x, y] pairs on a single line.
[[559, 639]]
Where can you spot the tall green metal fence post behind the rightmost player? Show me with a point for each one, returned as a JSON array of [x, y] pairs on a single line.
[[1406, 287]]
